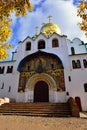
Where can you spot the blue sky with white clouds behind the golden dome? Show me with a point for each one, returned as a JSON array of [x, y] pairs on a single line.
[[63, 12]]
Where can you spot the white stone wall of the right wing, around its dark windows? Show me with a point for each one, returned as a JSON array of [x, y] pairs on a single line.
[[78, 78]]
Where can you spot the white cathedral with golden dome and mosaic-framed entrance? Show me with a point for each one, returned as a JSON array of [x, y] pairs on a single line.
[[47, 67]]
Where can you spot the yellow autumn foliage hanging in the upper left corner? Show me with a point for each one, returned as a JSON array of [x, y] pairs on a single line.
[[20, 7]]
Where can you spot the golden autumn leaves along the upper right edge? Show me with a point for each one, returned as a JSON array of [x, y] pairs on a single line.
[[82, 12]]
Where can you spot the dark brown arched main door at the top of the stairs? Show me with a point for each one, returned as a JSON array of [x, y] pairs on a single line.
[[41, 92]]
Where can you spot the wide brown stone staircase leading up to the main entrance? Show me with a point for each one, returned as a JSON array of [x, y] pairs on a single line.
[[36, 109]]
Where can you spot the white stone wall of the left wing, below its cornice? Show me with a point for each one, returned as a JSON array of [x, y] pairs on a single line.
[[9, 80]]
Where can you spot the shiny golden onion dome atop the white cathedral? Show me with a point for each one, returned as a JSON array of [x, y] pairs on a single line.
[[50, 28]]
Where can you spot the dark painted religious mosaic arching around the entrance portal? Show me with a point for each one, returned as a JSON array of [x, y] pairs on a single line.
[[41, 63]]
